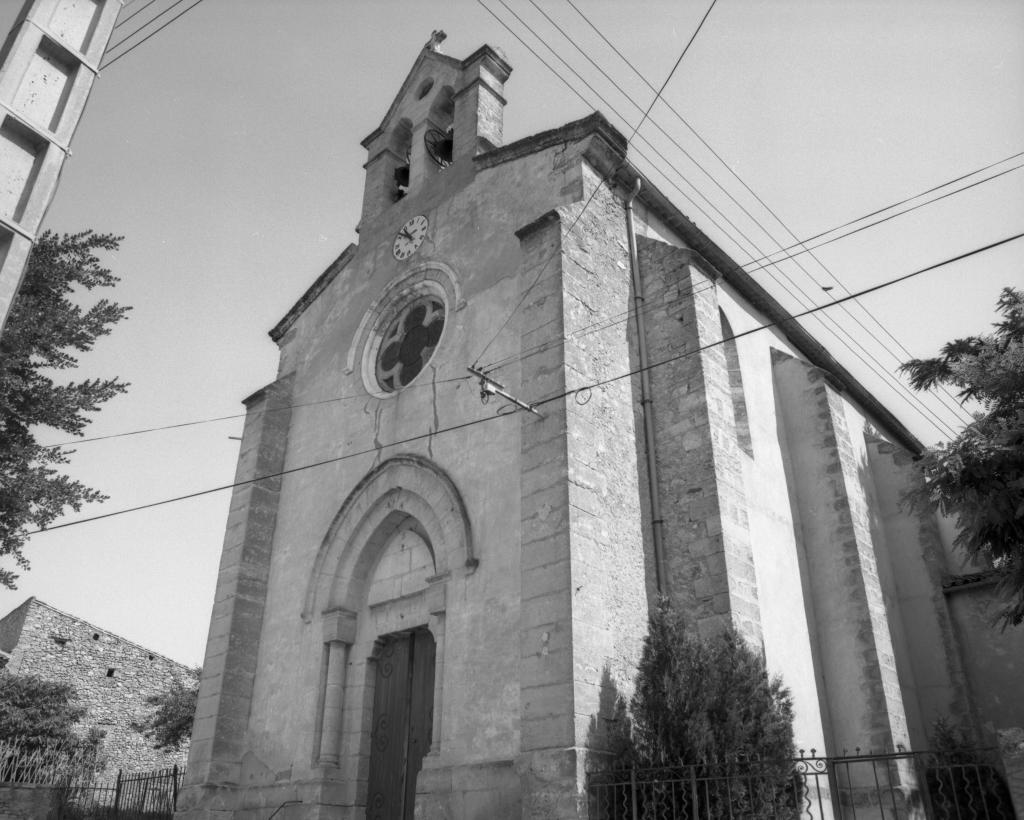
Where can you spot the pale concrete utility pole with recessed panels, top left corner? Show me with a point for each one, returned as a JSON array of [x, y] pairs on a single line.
[[48, 66]]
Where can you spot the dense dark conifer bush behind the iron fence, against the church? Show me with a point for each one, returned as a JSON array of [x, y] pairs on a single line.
[[712, 707]]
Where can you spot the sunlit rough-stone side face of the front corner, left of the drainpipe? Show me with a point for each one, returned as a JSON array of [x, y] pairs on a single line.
[[610, 566]]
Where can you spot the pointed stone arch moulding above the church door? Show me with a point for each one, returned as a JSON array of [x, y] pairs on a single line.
[[406, 492]]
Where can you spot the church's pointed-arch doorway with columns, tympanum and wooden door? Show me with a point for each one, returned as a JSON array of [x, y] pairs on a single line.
[[379, 592]]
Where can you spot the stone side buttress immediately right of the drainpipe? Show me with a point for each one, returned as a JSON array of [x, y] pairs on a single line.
[[710, 565]]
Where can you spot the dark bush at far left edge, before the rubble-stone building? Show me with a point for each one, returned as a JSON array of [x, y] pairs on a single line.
[[38, 713]]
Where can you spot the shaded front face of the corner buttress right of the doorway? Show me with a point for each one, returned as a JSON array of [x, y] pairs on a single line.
[[547, 764]]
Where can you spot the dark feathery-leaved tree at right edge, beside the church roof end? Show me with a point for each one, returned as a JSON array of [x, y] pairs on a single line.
[[978, 478]]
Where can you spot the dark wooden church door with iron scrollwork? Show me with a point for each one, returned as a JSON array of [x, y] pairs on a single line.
[[404, 700]]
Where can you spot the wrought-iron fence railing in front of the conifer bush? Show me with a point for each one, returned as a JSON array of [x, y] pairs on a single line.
[[897, 787]]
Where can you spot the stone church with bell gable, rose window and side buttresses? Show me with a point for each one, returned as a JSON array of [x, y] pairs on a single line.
[[428, 605]]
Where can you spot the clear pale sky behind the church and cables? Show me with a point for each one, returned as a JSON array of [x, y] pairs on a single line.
[[226, 151]]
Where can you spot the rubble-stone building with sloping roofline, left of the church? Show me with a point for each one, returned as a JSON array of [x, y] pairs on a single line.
[[112, 676]]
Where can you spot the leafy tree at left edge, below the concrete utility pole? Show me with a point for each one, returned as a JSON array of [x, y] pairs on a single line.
[[47, 328]]
